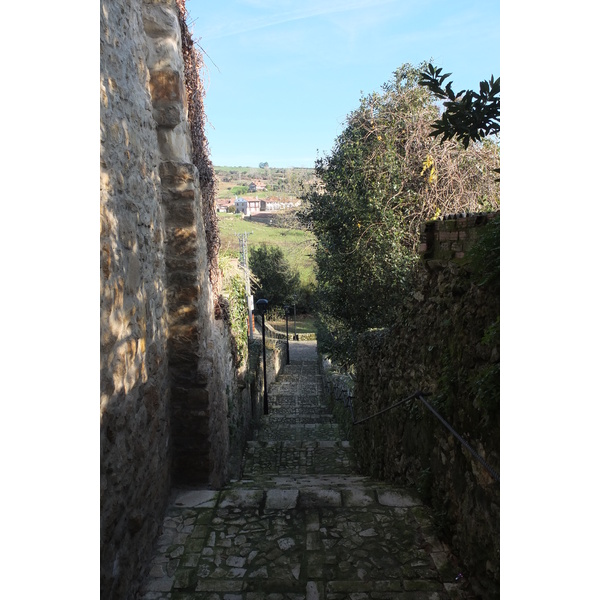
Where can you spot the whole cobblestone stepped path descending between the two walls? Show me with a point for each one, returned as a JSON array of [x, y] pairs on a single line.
[[300, 524]]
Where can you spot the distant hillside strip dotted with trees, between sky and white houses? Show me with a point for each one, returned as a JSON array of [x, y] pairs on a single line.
[[280, 182]]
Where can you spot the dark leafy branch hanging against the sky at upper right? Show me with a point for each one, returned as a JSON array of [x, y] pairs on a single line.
[[468, 115]]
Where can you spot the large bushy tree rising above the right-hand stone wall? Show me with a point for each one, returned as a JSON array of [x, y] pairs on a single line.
[[384, 177]]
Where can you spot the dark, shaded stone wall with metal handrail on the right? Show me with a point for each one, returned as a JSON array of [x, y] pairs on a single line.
[[445, 342]]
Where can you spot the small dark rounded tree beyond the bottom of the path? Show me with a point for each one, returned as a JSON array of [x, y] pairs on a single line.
[[276, 280]]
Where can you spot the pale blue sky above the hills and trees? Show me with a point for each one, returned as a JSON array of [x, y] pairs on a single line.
[[281, 76]]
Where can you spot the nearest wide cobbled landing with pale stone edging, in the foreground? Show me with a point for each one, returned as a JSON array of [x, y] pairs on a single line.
[[325, 539]]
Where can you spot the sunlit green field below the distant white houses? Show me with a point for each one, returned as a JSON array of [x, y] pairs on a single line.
[[296, 244]]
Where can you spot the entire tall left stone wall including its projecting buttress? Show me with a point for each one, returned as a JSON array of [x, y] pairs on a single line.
[[174, 408]]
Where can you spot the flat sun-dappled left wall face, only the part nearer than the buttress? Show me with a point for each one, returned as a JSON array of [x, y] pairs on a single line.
[[135, 390]]
